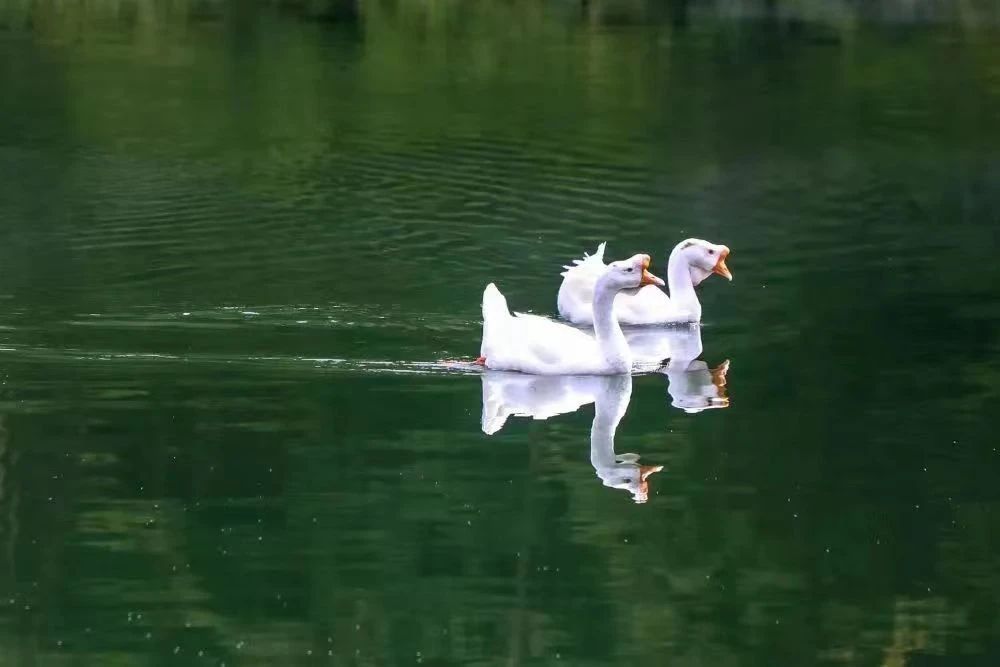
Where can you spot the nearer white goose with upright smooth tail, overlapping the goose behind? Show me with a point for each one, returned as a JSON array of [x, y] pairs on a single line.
[[540, 346]]
